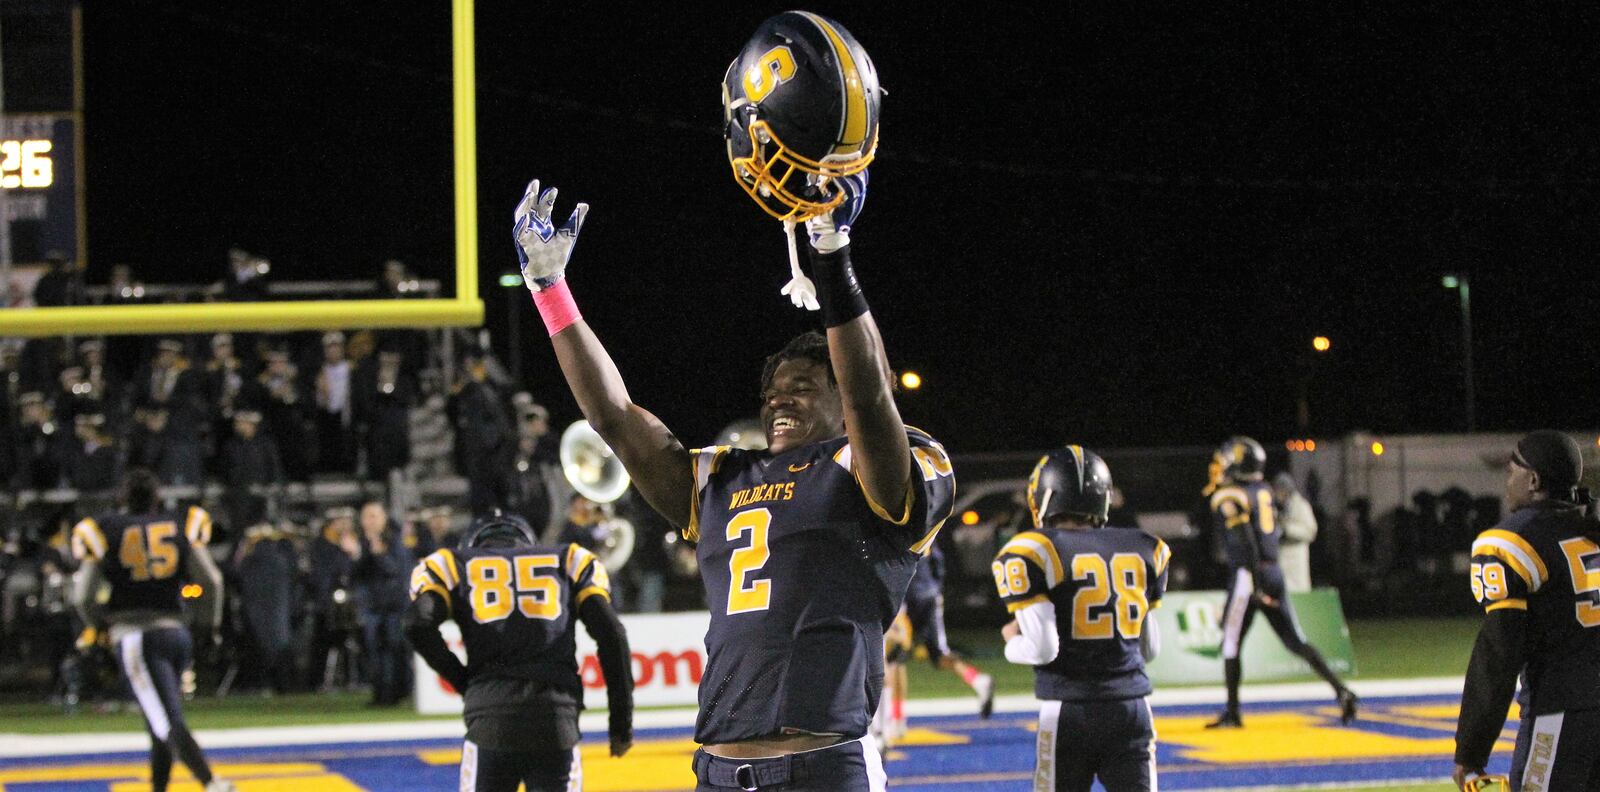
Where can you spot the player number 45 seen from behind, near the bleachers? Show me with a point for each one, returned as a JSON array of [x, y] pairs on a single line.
[[156, 554]]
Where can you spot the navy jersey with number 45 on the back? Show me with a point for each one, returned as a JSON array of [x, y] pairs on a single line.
[[143, 556]]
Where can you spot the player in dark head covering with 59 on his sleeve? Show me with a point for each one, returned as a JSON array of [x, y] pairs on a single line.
[[1538, 578]]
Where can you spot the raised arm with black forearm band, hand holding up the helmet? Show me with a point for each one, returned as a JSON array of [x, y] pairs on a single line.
[[878, 436]]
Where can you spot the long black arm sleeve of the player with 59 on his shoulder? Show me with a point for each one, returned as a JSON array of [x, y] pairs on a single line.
[[1492, 679]]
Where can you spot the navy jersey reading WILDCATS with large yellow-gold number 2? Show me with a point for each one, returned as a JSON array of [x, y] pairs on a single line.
[[804, 574]]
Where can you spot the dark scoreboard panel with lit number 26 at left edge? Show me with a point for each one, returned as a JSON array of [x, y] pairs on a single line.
[[42, 190]]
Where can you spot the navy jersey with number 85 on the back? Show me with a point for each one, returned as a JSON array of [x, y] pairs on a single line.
[[518, 609]]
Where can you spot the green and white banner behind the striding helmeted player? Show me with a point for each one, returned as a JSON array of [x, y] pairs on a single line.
[[1191, 626]]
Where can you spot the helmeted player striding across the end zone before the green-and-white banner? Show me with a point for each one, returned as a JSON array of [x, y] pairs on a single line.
[[1242, 510]]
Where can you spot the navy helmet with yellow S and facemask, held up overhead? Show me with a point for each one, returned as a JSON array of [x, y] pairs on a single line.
[[801, 106]]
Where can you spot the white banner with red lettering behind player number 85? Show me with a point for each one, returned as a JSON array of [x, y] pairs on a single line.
[[670, 657]]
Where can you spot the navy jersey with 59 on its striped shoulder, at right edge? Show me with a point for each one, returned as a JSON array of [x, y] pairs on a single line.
[[1545, 559]]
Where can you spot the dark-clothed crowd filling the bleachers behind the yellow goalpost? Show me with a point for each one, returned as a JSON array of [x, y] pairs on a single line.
[[260, 430]]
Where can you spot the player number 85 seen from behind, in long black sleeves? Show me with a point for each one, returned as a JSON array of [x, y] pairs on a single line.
[[519, 606]]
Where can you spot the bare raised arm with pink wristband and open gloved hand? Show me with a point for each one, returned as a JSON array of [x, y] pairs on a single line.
[[657, 462]]
